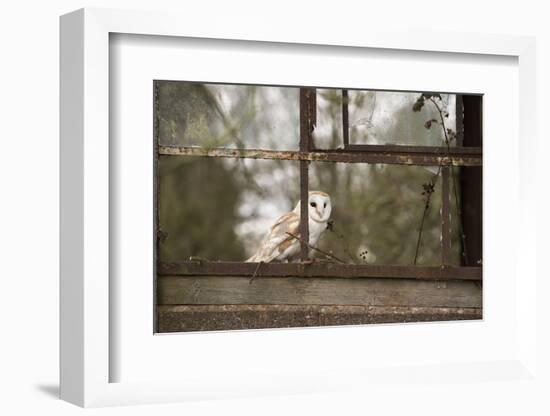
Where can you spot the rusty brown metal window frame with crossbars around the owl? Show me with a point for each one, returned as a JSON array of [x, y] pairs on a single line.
[[350, 153]]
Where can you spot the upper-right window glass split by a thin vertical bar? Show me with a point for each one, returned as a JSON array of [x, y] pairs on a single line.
[[384, 118]]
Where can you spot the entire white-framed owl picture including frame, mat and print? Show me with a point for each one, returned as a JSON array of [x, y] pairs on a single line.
[[243, 216]]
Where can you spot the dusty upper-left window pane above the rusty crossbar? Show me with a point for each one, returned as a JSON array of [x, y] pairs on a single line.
[[231, 116]]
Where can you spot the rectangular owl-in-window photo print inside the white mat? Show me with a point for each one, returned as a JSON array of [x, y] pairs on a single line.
[[389, 181]]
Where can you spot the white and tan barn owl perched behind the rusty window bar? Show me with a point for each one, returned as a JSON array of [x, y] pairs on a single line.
[[279, 245]]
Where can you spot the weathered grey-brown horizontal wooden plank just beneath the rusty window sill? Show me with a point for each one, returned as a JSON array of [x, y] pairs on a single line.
[[179, 290]]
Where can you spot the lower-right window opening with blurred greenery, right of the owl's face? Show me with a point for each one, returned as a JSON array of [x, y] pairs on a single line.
[[377, 211]]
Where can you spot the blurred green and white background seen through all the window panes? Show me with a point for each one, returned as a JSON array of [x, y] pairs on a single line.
[[220, 209]]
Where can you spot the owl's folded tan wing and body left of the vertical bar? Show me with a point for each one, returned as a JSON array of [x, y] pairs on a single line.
[[277, 240]]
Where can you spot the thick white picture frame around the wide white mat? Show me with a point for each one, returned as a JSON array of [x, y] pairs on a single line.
[[87, 356]]
